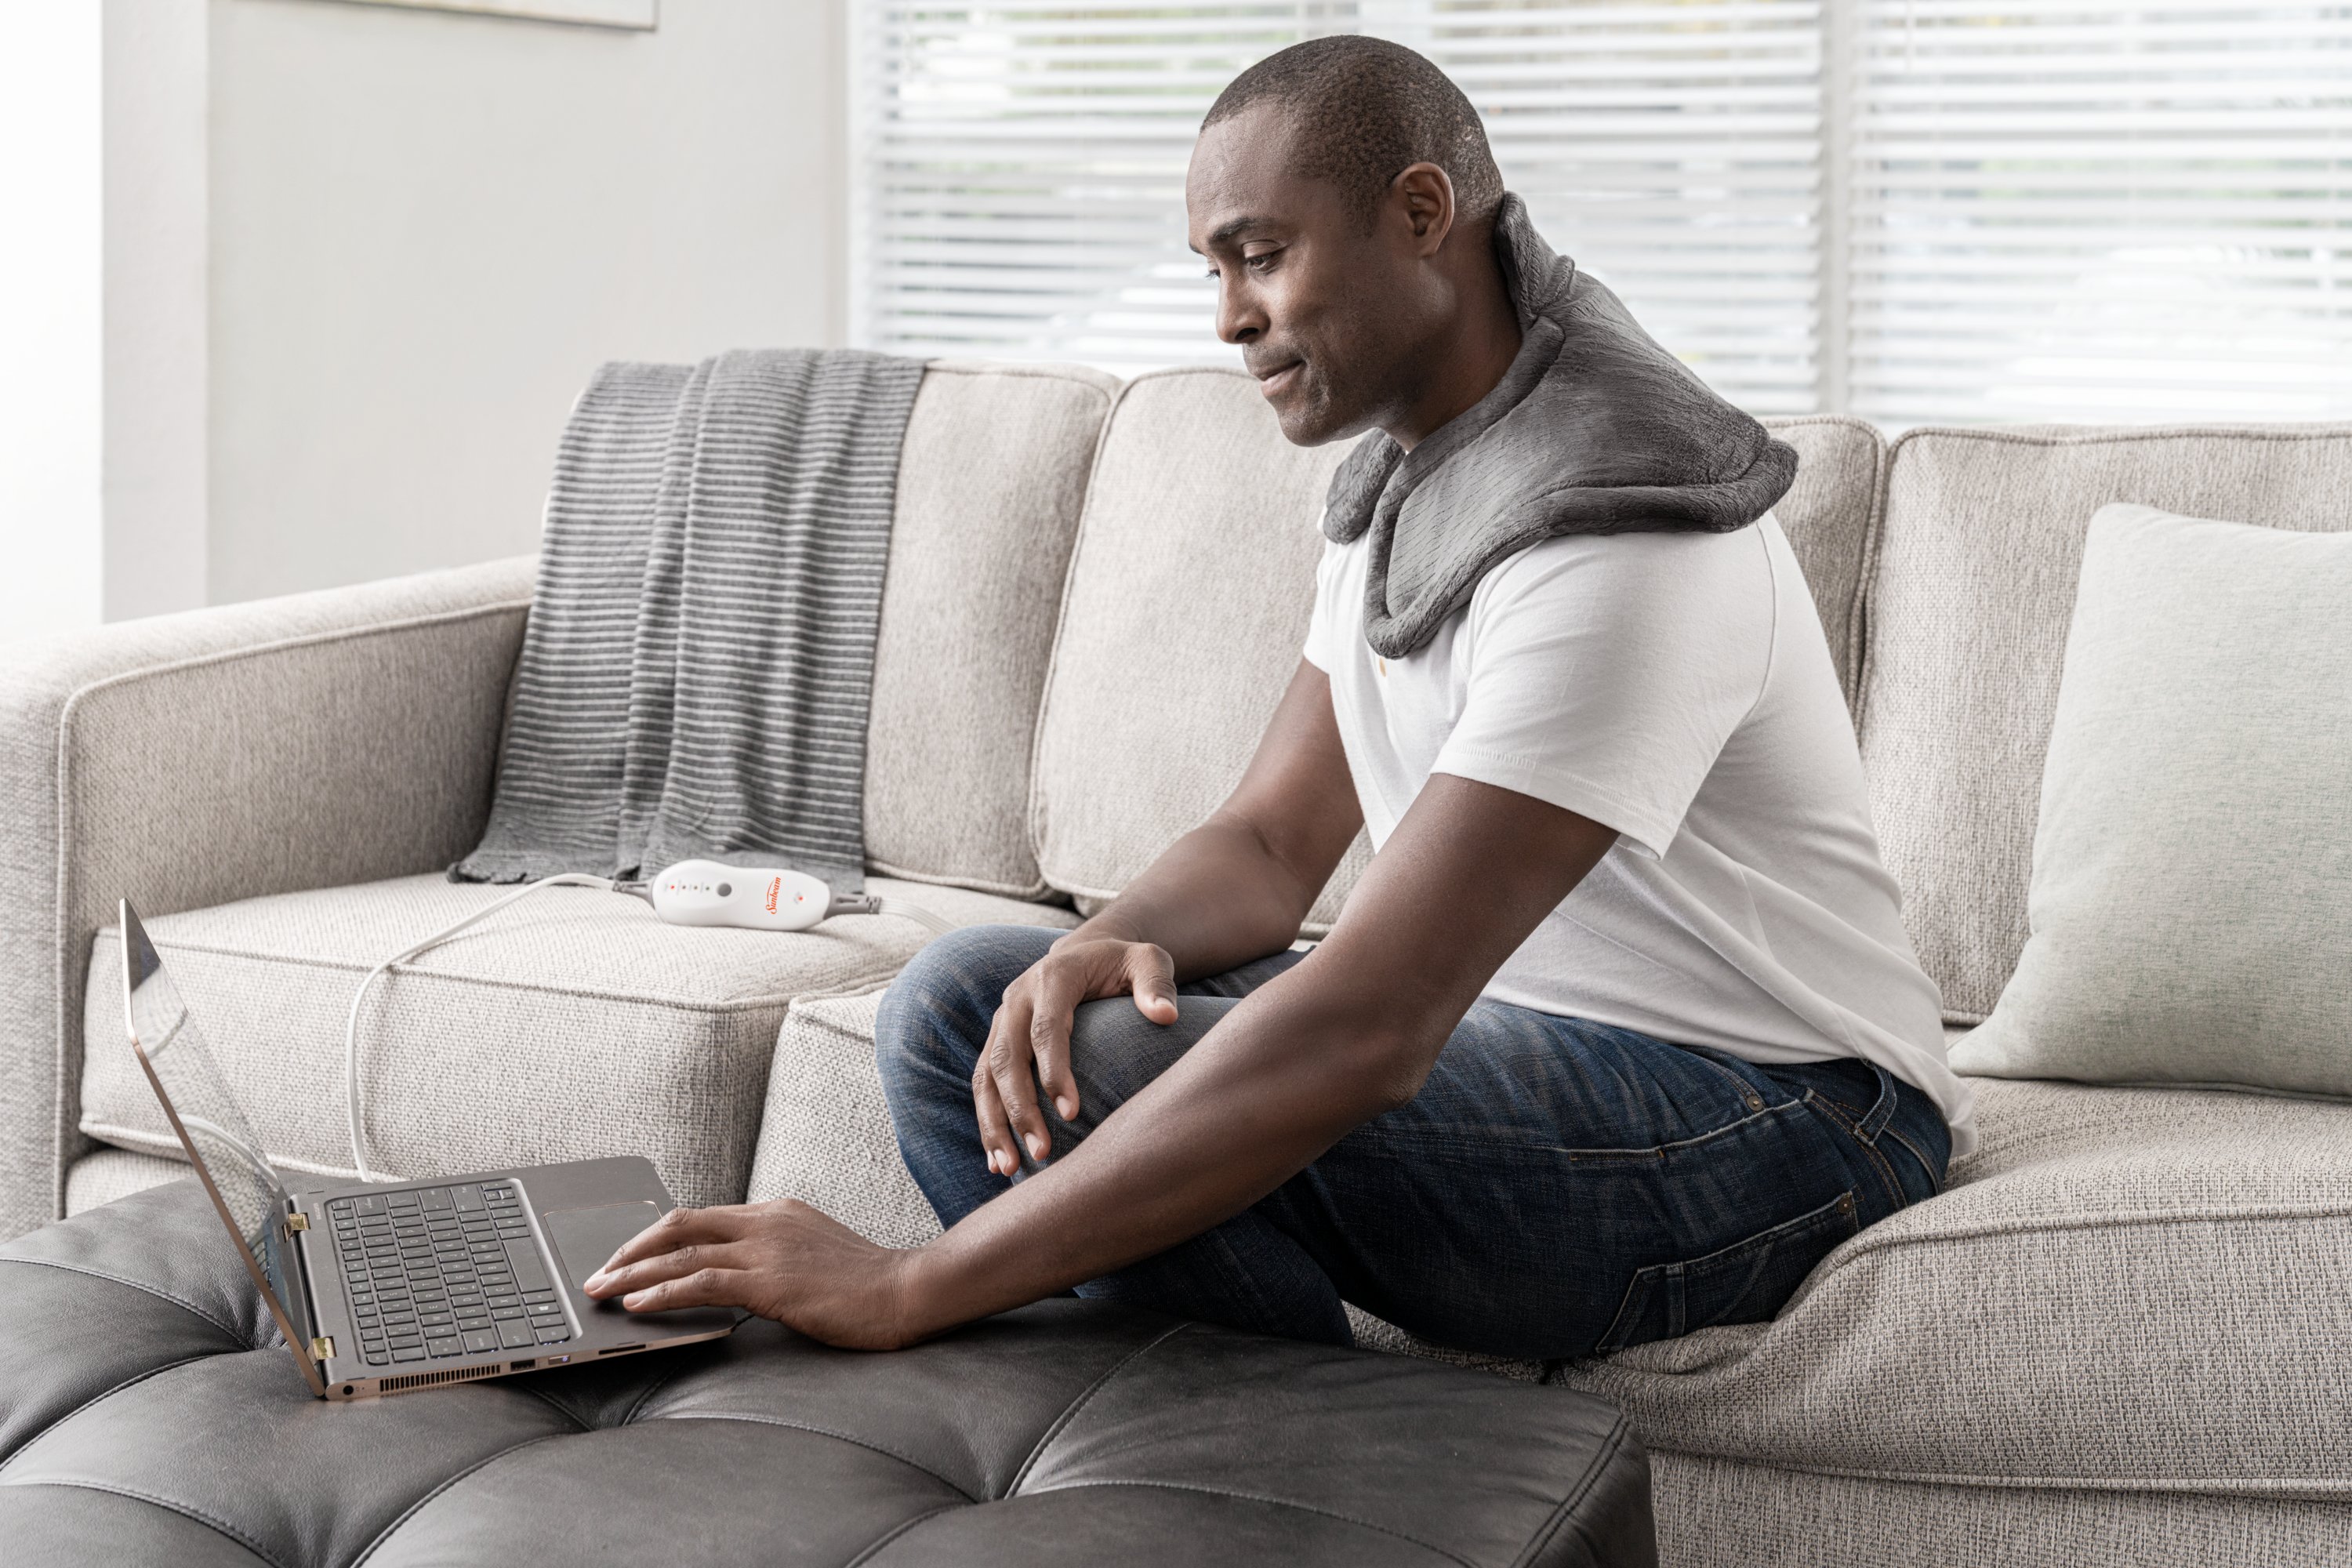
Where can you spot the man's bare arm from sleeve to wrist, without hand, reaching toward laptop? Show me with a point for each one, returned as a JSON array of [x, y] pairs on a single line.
[[1292, 1068]]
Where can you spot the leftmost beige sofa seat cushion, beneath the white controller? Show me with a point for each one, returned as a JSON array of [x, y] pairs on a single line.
[[566, 1028]]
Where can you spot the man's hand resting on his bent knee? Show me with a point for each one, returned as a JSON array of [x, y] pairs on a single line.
[[1029, 1045]]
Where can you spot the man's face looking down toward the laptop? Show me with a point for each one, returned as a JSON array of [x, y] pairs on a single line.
[[1318, 293]]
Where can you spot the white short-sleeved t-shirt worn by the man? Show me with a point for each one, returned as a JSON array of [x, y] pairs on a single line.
[[1676, 688]]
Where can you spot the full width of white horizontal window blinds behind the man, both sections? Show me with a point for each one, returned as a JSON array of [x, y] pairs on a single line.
[[1906, 208]]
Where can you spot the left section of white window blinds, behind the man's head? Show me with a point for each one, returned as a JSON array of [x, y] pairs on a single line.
[[1022, 168]]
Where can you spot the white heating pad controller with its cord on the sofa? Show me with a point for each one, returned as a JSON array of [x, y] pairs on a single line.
[[688, 894]]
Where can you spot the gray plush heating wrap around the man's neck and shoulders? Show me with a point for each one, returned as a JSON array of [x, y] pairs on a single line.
[[1593, 431]]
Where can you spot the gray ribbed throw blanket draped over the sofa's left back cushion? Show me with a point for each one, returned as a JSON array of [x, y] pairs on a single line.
[[700, 659]]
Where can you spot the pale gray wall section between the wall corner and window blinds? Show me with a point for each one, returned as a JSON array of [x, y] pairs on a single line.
[[429, 229]]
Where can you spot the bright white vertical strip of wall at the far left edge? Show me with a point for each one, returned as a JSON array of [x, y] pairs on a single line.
[[51, 319]]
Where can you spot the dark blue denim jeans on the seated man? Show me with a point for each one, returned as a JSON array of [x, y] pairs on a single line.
[[1558, 1188]]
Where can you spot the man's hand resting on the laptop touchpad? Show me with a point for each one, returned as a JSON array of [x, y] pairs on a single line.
[[782, 1261]]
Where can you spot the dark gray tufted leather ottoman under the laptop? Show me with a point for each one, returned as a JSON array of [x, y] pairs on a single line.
[[149, 1416]]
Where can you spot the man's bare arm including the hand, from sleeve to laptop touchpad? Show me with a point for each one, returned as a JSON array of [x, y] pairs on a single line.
[[1290, 1071]]
